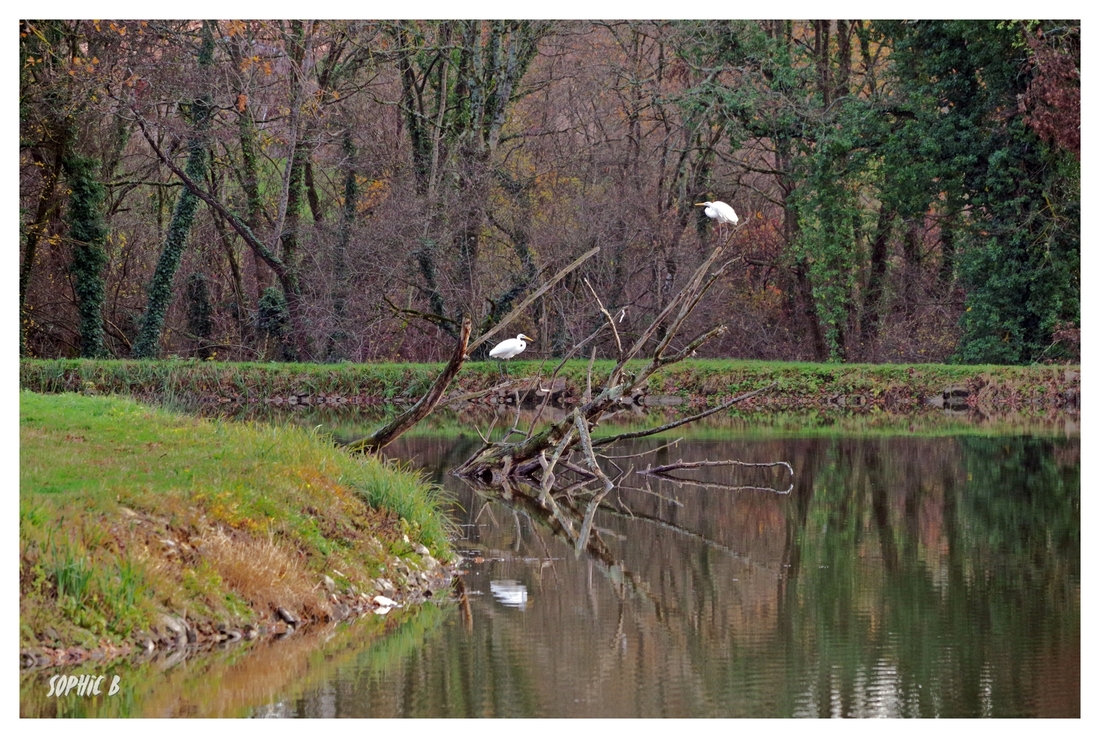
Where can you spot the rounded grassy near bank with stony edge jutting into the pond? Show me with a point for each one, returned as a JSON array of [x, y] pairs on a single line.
[[129, 514]]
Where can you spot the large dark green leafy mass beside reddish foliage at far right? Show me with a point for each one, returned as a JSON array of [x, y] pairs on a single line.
[[1014, 202]]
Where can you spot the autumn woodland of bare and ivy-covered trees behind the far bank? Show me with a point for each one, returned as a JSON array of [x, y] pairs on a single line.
[[349, 191]]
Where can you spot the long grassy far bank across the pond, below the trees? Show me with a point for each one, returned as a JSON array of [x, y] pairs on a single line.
[[700, 382]]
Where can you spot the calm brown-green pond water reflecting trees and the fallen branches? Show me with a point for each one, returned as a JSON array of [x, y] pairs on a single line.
[[898, 577]]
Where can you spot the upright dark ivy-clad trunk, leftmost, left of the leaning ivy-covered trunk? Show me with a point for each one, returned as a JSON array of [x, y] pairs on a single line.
[[87, 234]]
